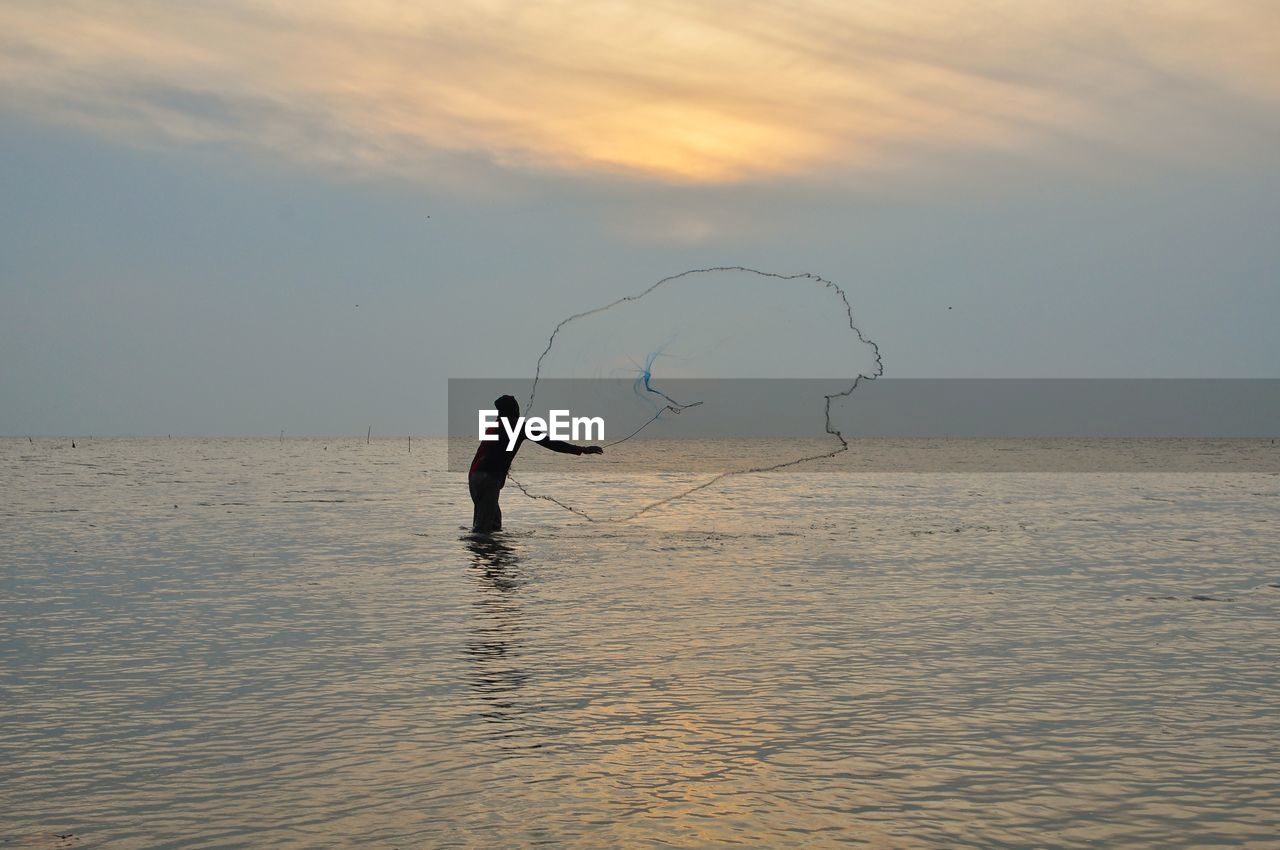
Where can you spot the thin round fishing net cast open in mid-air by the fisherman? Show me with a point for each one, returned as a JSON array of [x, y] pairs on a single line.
[[706, 364]]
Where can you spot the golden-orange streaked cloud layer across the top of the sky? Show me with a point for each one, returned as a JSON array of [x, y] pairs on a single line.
[[685, 93]]
